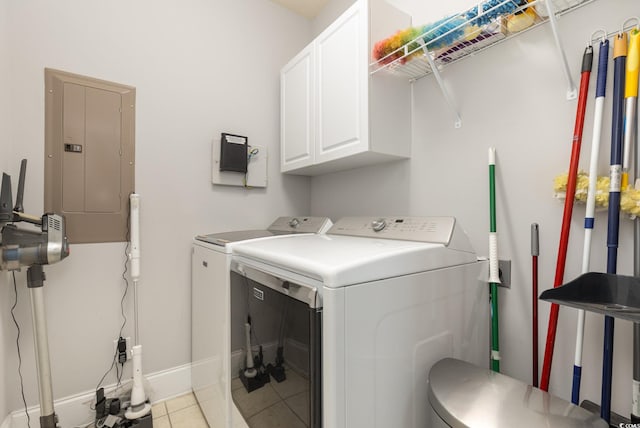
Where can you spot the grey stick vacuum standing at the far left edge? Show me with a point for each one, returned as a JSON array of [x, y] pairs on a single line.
[[33, 249]]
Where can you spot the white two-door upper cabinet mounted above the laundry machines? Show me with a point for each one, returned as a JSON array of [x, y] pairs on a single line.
[[334, 116]]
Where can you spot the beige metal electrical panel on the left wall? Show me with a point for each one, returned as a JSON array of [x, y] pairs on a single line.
[[89, 155]]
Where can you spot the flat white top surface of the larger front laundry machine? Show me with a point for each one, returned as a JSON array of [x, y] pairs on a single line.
[[339, 261]]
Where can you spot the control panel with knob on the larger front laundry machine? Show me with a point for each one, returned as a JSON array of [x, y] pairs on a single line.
[[422, 229]]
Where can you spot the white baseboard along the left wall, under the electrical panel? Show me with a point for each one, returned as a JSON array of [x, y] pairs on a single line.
[[74, 410]]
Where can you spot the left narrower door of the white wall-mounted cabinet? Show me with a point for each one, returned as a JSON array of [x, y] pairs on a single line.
[[297, 111]]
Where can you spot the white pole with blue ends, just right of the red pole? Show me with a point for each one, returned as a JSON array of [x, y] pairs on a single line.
[[589, 220]]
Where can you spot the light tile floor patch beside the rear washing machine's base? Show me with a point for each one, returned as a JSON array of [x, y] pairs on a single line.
[[179, 412]]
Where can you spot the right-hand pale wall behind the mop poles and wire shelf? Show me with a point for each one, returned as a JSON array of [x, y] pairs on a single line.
[[511, 97]]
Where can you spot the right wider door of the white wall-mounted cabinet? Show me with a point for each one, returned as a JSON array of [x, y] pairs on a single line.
[[342, 86]]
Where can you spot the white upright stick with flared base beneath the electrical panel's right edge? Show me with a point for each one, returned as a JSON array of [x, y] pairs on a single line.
[[139, 405]]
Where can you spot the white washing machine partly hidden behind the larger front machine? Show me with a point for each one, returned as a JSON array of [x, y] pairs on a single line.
[[211, 256]]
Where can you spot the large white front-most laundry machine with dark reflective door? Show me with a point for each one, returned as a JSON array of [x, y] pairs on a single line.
[[367, 309]]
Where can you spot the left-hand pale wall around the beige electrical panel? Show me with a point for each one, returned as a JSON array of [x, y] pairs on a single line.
[[200, 67]]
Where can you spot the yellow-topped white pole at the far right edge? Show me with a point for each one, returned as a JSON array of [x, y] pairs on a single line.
[[631, 128]]
